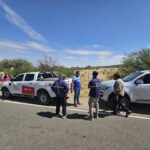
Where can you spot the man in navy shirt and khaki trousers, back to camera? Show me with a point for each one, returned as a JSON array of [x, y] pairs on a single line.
[[94, 94]]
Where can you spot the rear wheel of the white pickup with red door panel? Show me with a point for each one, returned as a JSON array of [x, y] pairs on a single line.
[[43, 98]]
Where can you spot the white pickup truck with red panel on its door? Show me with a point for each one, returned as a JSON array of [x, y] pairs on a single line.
[[32, 84]]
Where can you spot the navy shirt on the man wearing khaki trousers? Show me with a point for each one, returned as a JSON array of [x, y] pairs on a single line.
[[95, 86]]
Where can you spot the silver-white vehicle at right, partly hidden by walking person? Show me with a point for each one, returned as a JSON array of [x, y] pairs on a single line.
[[137, 88]]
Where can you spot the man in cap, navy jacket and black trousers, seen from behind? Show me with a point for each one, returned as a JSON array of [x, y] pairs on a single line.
[[61, 88]]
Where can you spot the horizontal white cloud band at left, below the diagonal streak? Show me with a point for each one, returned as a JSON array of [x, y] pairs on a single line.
[[23, 47]]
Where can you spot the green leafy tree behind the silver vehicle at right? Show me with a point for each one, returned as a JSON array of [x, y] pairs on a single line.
[[136, 61]]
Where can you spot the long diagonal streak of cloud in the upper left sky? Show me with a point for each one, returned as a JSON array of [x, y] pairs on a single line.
[[14, 18]]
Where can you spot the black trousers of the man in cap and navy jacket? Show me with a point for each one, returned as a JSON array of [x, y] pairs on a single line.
[[61, 101]]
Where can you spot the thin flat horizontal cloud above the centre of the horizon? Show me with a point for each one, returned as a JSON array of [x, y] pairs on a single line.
[[88, 52]]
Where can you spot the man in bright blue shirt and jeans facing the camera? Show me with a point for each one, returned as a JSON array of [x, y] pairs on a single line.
[[76, 86]]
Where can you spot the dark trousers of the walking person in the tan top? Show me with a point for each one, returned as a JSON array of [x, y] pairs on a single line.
[[119, 102]]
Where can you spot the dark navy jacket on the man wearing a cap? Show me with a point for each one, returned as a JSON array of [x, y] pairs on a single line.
[[60, 87]]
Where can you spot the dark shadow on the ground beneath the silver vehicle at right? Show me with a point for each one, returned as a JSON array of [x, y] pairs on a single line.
[[135, 108]]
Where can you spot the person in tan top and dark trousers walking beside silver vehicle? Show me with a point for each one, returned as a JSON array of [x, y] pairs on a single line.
[[119, 100]]
